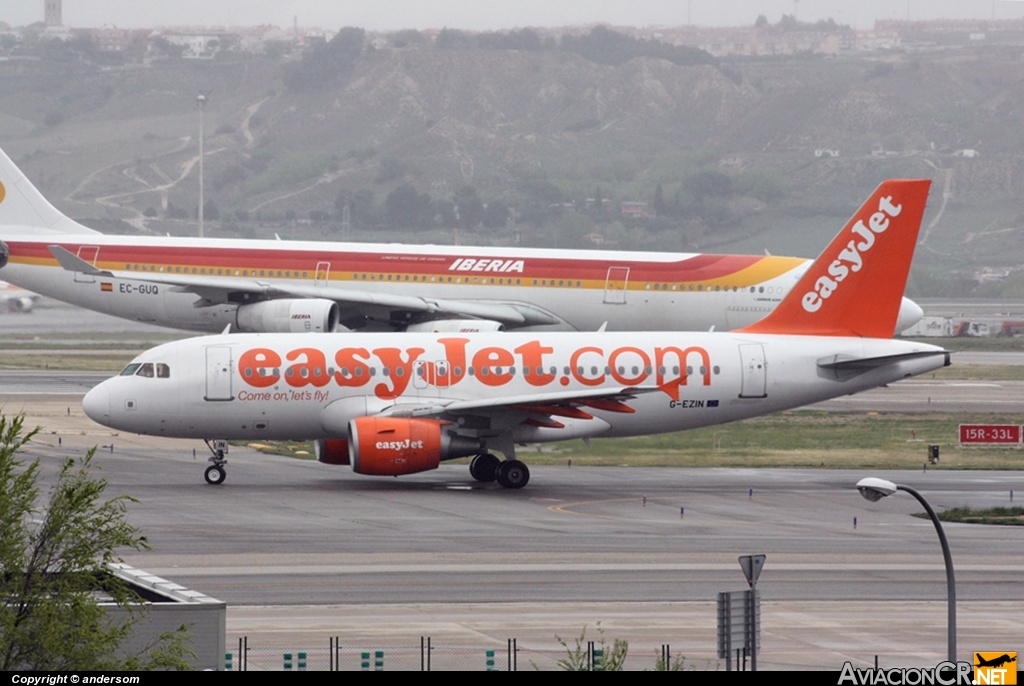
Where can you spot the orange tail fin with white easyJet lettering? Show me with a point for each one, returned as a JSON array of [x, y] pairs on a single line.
[[856, 287]]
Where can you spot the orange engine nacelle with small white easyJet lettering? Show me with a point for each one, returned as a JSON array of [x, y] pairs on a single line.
[[392, 447]]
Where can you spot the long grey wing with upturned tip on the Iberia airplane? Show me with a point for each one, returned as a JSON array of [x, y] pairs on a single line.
[[354, 303]]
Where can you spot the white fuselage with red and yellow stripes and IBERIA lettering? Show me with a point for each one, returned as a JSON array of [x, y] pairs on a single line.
[[581, 289]]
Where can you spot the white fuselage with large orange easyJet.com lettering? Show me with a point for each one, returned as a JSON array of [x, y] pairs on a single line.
[[285, 387]]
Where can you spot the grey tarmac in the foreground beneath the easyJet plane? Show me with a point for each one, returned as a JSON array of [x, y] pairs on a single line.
[[301, 549]]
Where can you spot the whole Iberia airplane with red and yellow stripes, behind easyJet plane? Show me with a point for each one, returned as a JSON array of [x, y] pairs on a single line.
[[278, 287]]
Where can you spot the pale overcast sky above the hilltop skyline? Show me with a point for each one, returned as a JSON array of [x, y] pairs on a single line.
[[486, 15]]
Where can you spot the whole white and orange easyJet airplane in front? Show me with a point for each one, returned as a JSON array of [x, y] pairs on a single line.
[[394, 405]]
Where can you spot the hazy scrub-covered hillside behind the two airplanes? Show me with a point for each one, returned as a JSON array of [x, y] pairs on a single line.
[[423, 141]]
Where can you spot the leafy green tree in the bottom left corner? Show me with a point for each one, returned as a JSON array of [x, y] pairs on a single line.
[[54, 555]]
